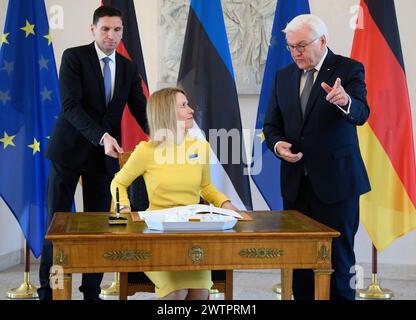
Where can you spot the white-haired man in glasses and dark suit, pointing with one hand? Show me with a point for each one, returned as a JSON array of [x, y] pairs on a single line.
[[311, 126]]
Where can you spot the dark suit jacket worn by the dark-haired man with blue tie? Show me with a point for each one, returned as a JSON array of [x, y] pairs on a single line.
[[85, 117]]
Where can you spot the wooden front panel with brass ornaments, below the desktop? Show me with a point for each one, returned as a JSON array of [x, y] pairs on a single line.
[[195, 254]]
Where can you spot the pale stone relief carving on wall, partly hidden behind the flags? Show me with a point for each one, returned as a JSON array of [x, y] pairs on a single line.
[[248, 24]]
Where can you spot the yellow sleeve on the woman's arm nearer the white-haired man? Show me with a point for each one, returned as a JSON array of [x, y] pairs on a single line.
[[208, 191]]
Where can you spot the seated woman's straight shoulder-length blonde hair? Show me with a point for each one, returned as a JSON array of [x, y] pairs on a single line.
[[162, 115]]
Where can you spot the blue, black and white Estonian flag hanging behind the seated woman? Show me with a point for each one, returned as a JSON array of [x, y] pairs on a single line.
[[206, 74]]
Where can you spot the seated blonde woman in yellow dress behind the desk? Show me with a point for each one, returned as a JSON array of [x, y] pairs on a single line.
[[175, 168]]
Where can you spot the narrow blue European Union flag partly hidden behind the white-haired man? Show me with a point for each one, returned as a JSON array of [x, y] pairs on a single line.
[[267, 179]]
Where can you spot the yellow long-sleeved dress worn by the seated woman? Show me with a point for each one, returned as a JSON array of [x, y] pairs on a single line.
[[175, 175]]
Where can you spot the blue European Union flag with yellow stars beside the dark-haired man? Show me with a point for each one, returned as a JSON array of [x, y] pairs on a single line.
[[29, 103]]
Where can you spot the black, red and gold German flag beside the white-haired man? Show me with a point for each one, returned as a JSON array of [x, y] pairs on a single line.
[[389, 210]]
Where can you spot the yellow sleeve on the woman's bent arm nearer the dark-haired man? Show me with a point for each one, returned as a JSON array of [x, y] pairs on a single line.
[[134, 167]]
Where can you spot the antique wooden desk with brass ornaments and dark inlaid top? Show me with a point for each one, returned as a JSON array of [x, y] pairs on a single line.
[[287, 240]]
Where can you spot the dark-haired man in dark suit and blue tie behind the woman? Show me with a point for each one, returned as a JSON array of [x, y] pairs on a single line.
[[95, 85]]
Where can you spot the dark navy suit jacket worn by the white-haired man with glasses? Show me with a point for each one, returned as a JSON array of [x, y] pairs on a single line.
[[326, 136]]
